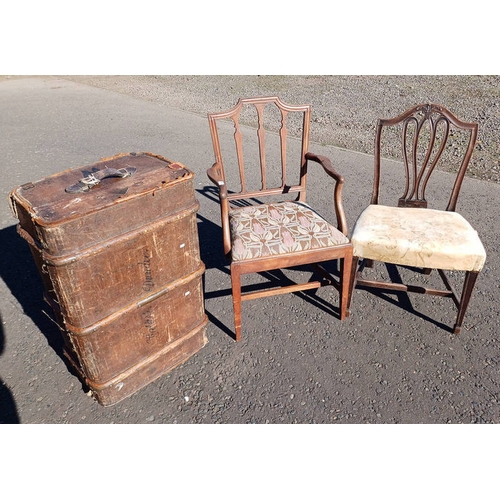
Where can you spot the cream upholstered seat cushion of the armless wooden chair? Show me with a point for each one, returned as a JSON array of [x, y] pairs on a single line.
[[420, 237]]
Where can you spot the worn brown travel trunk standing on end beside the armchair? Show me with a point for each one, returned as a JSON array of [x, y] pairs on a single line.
[[116, 245]]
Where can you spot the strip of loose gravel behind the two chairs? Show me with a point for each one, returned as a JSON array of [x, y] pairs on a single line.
[[345, 108]]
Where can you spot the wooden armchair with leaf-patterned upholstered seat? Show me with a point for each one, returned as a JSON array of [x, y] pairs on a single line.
[[263, 228]]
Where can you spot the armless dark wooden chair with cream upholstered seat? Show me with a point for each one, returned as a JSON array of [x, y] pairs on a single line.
[[410, 235]]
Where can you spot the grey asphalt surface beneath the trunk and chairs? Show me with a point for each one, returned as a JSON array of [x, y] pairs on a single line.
[[393, 361]]
